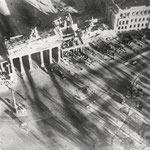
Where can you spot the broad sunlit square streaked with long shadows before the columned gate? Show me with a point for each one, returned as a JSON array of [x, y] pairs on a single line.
[[62, 117]]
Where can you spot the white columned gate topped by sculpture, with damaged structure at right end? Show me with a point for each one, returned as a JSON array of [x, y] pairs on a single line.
[[28, 53]]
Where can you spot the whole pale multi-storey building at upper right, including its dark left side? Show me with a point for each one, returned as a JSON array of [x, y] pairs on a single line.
[[125, 17]]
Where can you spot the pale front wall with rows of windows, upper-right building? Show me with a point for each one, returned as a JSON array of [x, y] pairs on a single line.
[[134, 18]]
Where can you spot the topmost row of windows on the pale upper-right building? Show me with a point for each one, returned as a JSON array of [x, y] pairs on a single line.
[[136, 13]]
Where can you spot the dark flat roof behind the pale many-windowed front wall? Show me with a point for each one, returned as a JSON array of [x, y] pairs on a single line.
[[131, 3]]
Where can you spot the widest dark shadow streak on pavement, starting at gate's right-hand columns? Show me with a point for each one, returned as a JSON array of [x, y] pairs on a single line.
[[81, 122]]
